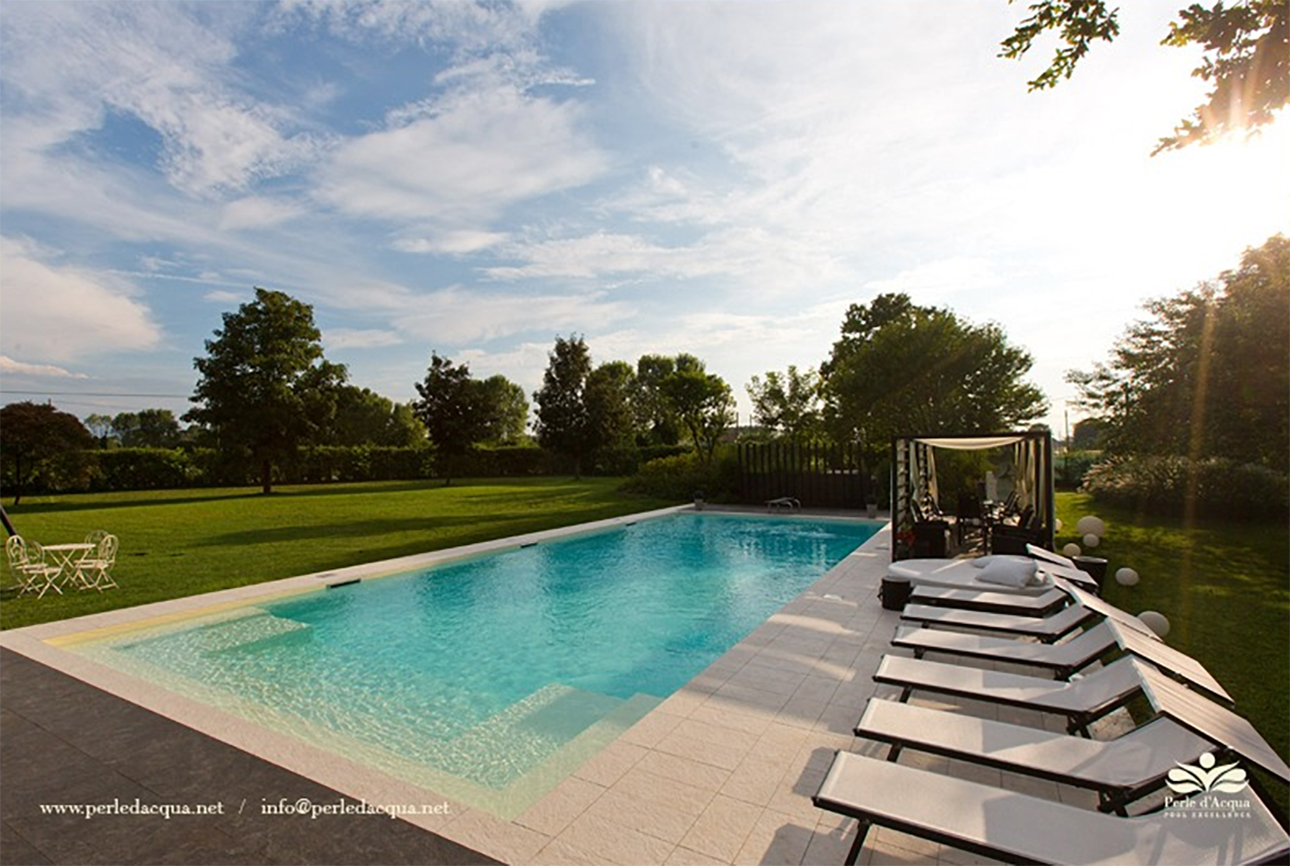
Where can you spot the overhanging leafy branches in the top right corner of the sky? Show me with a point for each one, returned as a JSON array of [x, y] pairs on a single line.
[[1245, 57]]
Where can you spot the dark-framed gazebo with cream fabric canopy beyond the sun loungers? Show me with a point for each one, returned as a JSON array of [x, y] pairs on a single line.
[[1011, 507]]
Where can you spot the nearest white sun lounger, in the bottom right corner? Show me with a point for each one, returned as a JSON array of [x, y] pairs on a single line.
[[1022, 829]]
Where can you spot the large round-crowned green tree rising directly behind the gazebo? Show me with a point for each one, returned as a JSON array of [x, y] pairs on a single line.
[[900, 370]]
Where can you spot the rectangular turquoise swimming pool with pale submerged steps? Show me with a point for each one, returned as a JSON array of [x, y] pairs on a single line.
[[490, 680]]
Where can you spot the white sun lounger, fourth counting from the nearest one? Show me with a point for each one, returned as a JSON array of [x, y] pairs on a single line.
[[1062, 659]]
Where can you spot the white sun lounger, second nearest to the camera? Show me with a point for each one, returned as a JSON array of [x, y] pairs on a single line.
[[1120, 771]]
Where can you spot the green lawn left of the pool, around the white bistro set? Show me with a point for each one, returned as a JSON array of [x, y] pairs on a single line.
[[185, 543]]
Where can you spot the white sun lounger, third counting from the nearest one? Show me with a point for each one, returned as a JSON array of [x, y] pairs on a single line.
[[1082, 701]]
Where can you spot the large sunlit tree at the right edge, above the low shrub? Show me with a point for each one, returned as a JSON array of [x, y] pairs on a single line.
[[1208, 375]]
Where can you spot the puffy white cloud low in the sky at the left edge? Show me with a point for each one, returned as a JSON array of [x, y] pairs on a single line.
[[60, 314]]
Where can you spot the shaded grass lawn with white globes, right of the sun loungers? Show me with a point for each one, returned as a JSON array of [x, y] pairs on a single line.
[[1224, 585]]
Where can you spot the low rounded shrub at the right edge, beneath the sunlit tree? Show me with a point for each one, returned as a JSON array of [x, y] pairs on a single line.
[[1160, 485]]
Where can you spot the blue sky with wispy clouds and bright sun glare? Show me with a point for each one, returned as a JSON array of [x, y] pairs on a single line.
[[478, 179]]
